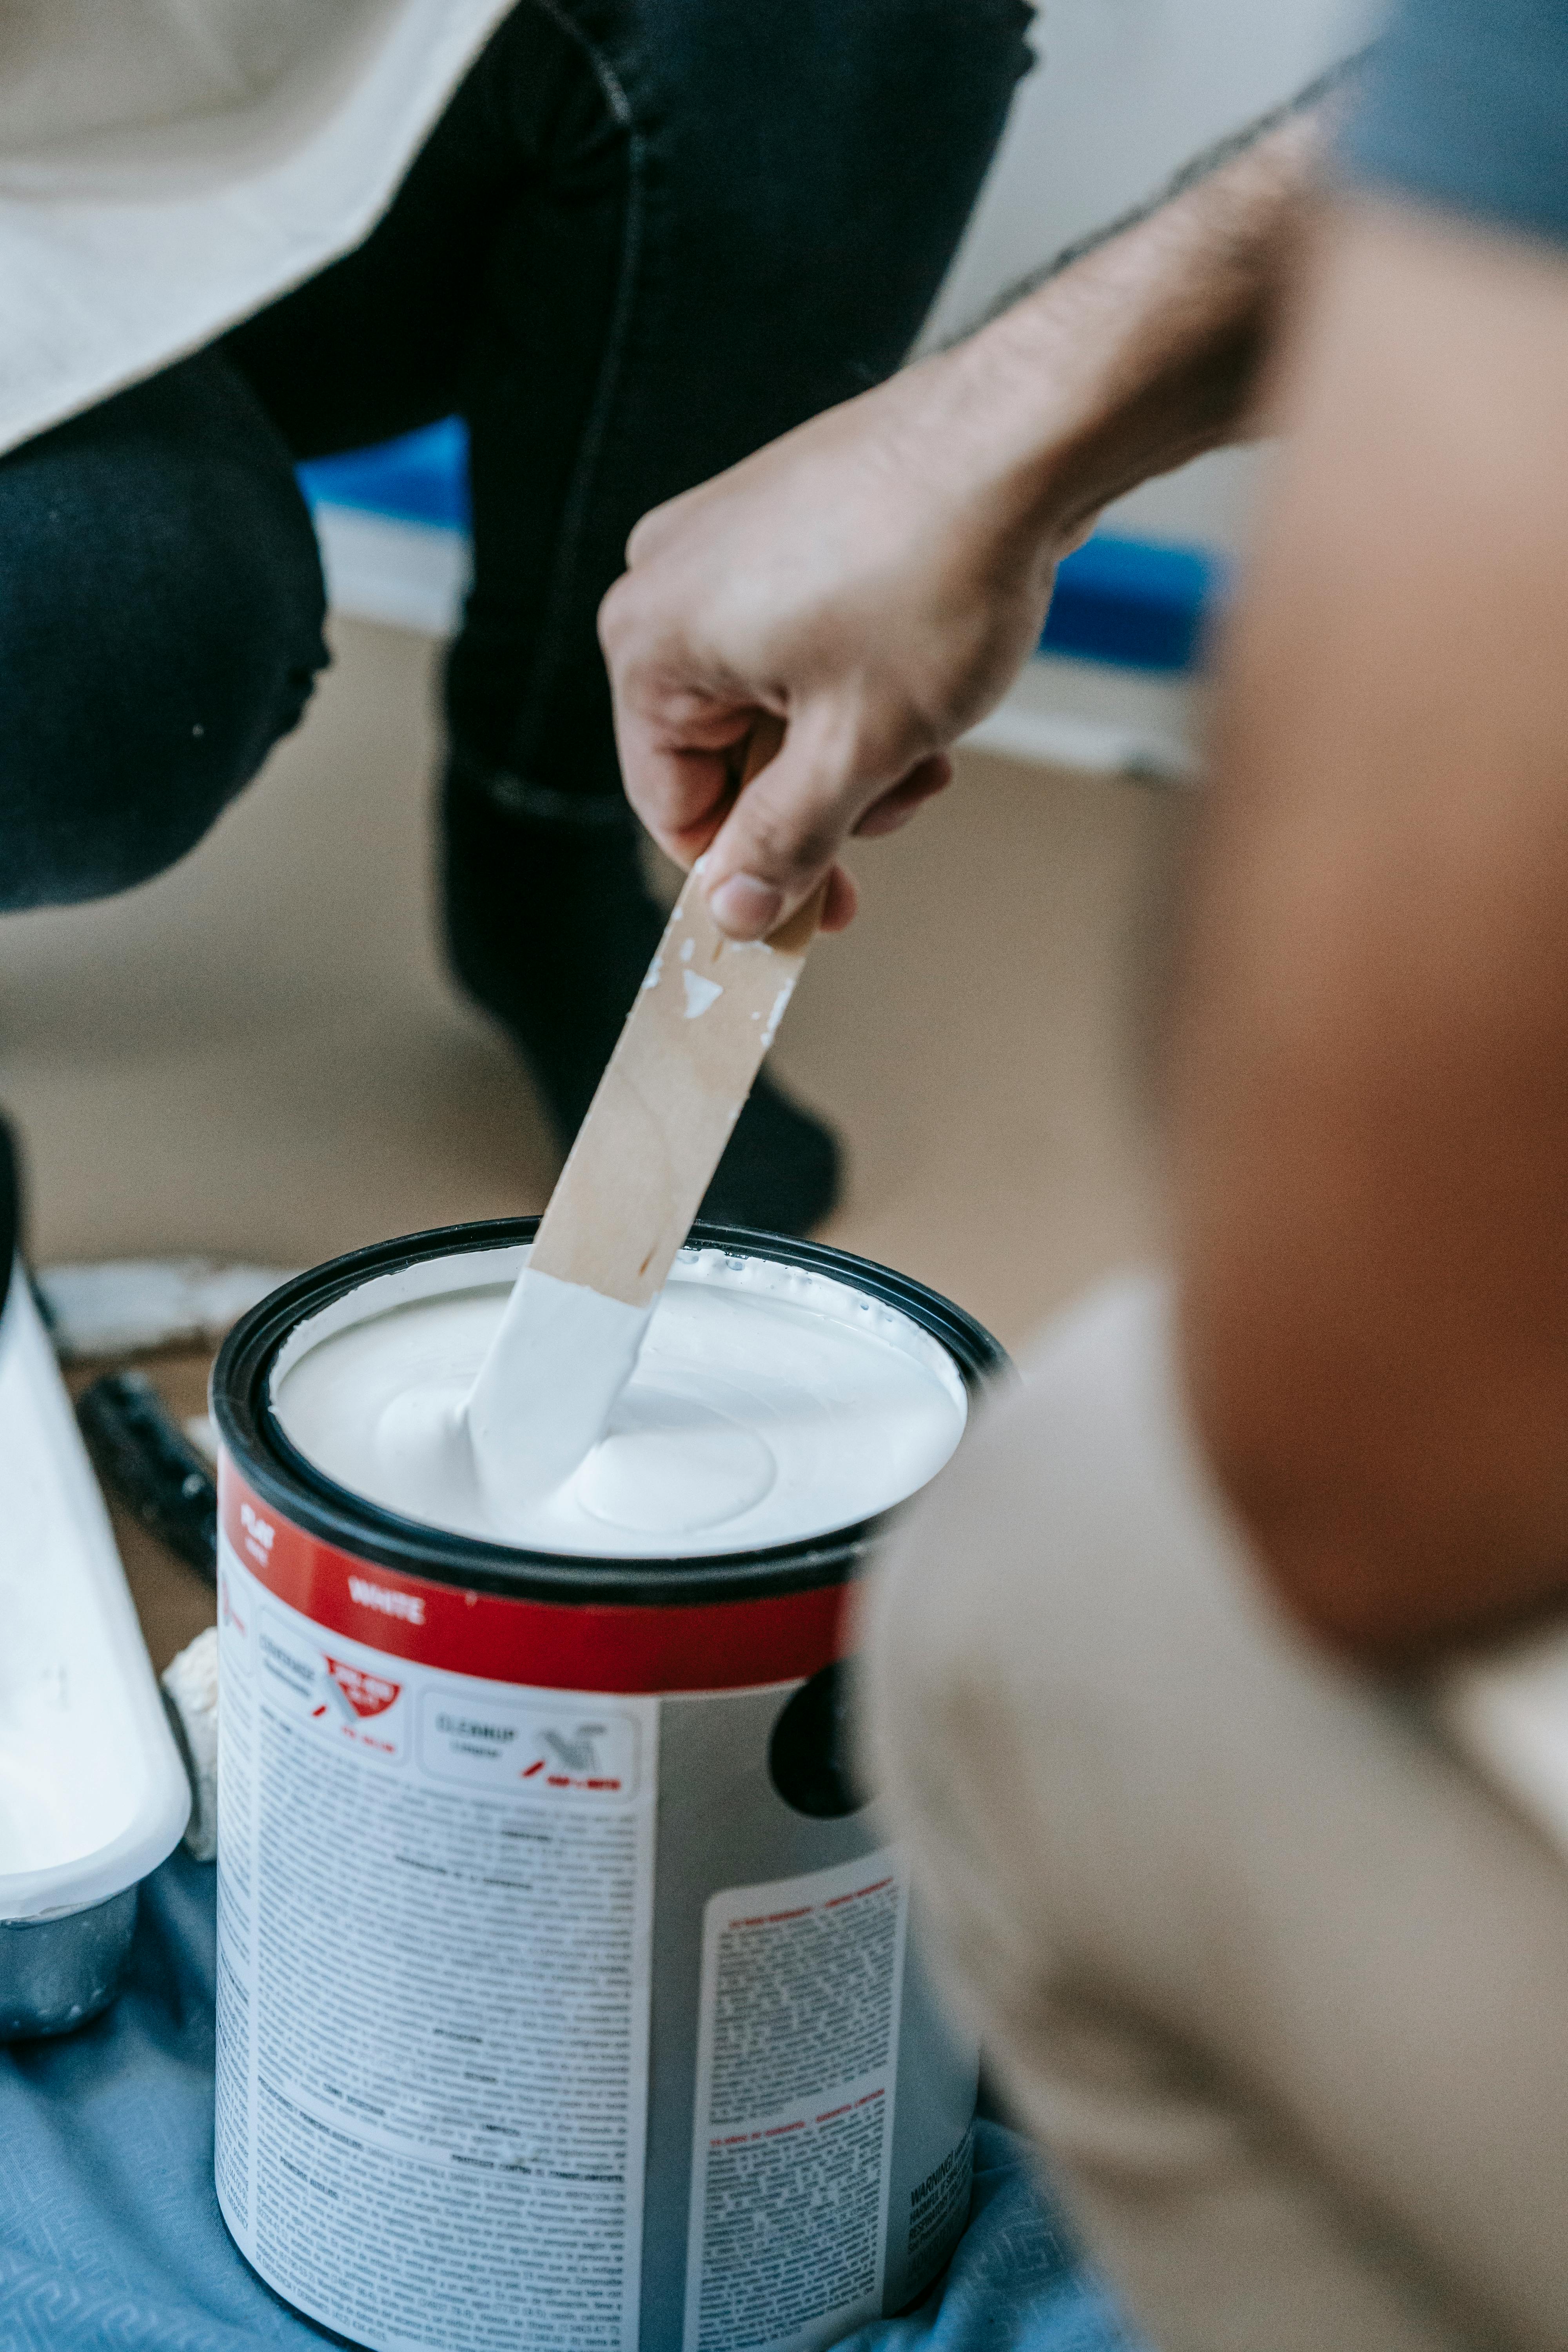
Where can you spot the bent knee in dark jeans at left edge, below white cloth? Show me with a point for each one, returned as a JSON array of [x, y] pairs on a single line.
[[161, 629]]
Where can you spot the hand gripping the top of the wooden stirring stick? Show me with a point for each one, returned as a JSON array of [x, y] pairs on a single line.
[[873, 580]]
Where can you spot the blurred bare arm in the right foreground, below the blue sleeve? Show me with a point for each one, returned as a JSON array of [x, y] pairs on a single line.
[[1372, 1069]]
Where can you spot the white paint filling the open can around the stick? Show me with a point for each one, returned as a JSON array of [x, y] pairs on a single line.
[[768, 1403]]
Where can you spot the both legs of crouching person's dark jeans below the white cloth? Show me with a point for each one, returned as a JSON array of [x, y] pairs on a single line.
[[645, 239]]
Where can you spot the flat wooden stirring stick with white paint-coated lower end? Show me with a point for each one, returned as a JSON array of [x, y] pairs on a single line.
[[624, 1203]]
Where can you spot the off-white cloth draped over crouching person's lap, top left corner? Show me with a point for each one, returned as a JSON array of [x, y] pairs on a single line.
[[170, 166]]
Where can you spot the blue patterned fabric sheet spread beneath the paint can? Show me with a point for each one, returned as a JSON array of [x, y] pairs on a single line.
[[112, 2236]]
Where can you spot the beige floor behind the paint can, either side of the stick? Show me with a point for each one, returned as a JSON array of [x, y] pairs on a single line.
[[260, 1055]]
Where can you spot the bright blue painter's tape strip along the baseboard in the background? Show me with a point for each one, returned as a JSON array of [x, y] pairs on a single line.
[[1123, 601]]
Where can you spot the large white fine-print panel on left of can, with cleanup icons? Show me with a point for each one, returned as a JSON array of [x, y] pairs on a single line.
[[434, 1991]]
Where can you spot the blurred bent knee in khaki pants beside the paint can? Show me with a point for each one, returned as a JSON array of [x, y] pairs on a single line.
[[1278, 1984]]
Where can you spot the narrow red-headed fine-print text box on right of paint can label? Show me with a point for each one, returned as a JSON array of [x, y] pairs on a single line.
[[793, 2127]]
